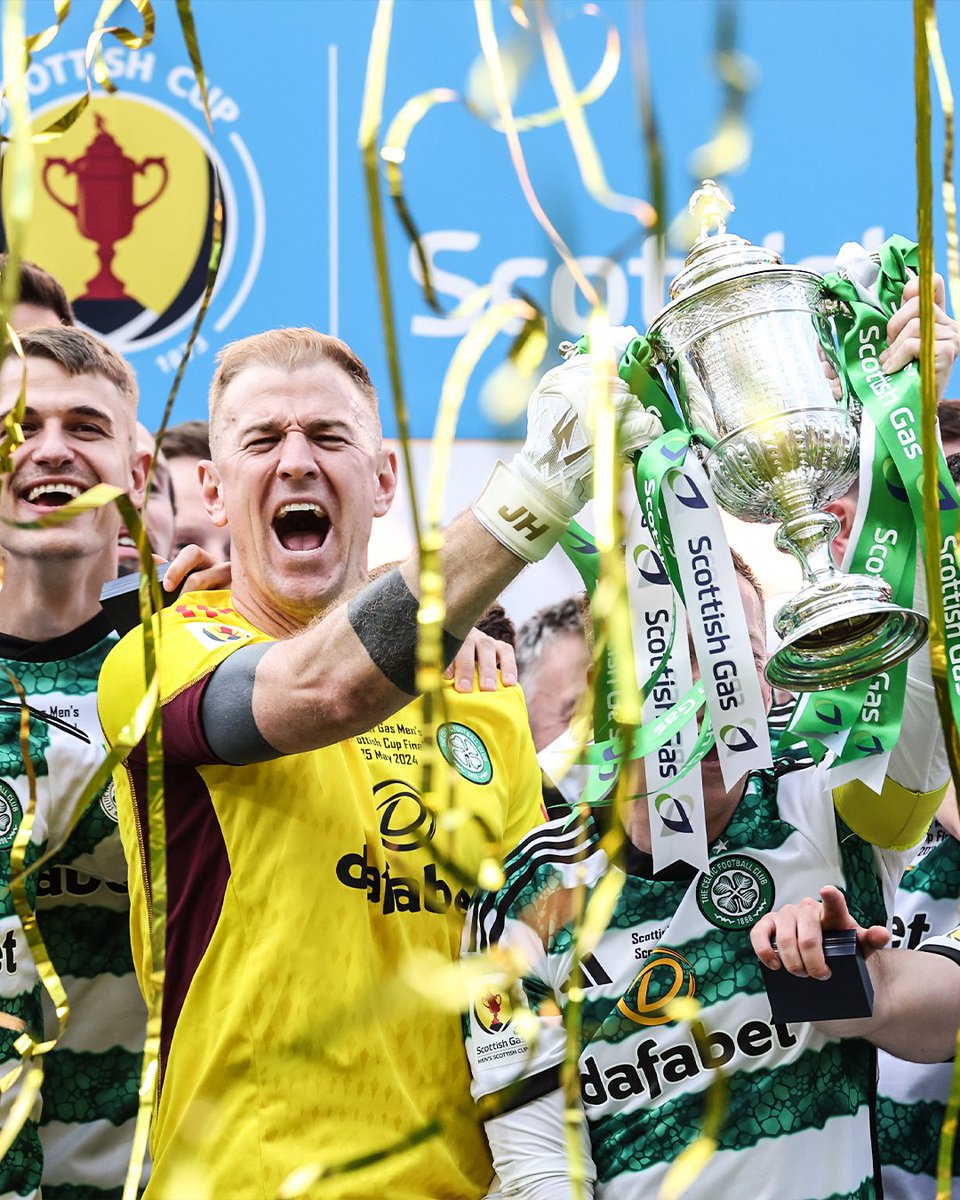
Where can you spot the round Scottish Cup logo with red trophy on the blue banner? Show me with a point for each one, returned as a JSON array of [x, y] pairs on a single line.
[[125, 205]]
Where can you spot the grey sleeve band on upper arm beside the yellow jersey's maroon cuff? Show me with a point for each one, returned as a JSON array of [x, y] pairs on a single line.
[[227, 710]]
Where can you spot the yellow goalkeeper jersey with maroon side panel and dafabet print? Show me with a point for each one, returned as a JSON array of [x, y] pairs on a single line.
[[314, 903]]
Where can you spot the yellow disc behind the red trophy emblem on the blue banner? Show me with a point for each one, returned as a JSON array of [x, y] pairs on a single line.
[[159, 225]]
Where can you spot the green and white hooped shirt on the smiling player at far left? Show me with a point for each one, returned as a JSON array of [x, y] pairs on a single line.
[[79, 1141]]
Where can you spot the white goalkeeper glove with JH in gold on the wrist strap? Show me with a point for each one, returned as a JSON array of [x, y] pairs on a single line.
[[529, 505]]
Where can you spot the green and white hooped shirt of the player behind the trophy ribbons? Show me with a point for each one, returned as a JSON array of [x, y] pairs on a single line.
[[797, 1124]]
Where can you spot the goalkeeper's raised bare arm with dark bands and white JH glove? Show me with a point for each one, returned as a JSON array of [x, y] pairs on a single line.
[[356, 665]]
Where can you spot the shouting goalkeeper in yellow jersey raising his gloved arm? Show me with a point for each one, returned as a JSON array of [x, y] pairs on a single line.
[[314, 897]]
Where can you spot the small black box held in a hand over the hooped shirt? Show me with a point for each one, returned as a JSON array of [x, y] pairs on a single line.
[[848, 994]]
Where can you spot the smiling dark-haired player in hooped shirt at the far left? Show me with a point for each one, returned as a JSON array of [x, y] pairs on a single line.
[[79, 431]]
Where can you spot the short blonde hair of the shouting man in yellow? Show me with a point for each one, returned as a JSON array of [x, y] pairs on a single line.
[[289, 350]]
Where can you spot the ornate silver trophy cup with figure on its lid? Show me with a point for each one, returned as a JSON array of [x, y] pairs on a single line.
[[749, 349]]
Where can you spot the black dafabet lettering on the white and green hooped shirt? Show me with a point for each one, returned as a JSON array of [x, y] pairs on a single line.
[[676, 1064]]
